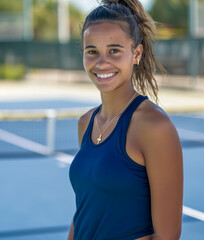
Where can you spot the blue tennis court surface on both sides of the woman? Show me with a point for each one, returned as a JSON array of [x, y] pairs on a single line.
[[36, 198]]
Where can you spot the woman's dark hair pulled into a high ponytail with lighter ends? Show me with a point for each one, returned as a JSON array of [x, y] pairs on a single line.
[[141, 29]]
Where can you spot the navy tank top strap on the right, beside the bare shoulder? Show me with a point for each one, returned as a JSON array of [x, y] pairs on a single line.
[[126, 117]]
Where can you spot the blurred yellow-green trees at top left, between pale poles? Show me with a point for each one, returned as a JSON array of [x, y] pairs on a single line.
[[45, 17]]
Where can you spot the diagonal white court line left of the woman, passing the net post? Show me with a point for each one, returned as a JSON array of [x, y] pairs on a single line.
[[33, 146]]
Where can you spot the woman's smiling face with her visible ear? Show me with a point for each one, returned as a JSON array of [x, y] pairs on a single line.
[[108, 56]]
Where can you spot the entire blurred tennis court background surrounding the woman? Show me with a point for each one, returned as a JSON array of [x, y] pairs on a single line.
[[44, 89]]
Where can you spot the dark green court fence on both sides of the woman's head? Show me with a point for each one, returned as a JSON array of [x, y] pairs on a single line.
[[178, 56]]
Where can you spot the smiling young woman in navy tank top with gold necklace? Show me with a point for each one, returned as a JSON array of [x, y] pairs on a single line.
[[127, 175]]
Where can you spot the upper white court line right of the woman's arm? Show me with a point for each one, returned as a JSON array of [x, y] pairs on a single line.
[[190, 134]]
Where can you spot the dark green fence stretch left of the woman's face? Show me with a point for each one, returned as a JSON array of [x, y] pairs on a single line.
[[42, 54]]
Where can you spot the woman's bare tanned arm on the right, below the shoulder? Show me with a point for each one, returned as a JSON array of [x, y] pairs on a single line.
[[164, 163]]
